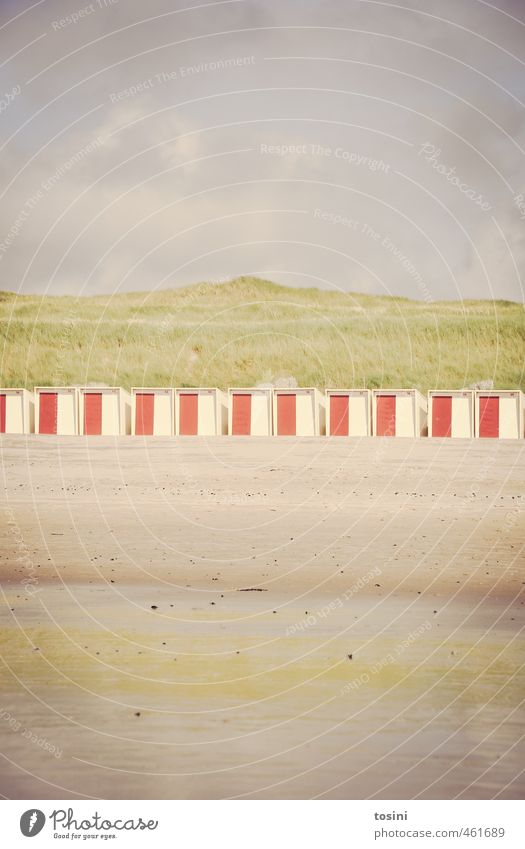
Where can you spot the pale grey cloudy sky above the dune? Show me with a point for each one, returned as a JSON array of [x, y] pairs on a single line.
[[352, 145]]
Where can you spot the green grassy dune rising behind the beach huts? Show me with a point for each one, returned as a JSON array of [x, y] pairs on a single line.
[[249, 330]]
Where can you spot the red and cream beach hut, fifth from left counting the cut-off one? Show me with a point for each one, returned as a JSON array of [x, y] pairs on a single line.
[[200, 412]]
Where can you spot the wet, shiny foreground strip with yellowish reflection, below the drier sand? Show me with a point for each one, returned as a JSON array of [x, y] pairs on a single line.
[[254, 697]]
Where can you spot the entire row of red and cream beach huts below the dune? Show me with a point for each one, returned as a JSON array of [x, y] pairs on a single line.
[[260, 411]]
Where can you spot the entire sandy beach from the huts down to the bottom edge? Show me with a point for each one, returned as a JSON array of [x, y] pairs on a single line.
[[289, 618]]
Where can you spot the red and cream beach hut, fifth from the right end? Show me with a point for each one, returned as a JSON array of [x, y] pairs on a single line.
[[298, 412]]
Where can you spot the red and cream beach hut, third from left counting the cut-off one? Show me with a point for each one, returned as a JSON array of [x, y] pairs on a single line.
[[104, 411]]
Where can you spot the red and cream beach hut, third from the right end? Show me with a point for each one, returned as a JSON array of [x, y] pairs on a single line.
[[398, 412]]
